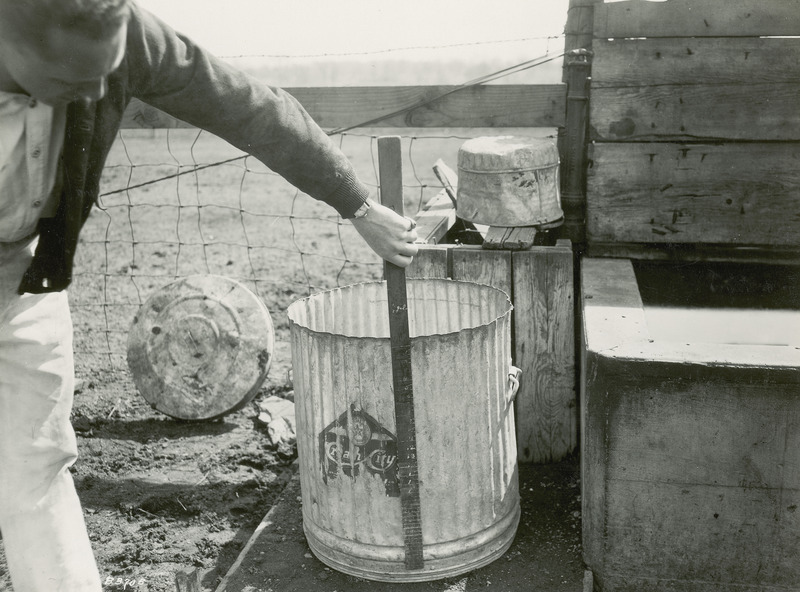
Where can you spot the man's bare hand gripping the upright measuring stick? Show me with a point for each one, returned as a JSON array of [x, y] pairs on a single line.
[[388, 233]]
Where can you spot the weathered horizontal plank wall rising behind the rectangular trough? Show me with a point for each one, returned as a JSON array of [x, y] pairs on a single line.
[[694, 127]]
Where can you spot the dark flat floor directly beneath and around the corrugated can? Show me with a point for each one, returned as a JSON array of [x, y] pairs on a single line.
[[545, 555]]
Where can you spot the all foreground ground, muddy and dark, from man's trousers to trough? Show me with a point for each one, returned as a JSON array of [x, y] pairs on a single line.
[[163, 496]]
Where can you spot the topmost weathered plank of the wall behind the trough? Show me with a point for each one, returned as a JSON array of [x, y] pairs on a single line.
[[696, 18]]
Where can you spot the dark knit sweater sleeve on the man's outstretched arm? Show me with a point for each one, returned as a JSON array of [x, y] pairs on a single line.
[[170, 72]]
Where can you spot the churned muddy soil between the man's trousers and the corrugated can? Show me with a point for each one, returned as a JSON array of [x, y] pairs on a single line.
[[162, 495]]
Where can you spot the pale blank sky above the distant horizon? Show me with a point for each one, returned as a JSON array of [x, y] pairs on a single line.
[[232, 28]]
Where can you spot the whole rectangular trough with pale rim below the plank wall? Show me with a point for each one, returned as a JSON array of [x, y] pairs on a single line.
[[690, 434]]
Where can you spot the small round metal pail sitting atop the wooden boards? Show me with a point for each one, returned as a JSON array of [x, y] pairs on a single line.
[[509, 181]]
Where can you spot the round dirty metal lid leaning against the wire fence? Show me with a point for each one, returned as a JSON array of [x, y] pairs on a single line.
[[200, 347]]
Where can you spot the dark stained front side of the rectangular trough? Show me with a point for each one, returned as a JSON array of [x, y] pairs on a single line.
[[694, 490]]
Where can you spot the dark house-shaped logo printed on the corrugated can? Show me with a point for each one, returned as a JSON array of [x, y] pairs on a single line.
[[355, 442]]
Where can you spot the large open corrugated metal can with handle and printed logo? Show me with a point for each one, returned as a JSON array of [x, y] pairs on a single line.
[[346, 436]]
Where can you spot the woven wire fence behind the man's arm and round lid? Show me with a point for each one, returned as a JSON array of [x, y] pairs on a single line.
[[179, 202]]
